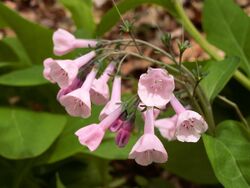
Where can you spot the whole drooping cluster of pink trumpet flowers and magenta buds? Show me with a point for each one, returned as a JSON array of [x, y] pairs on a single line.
[[80, 87]]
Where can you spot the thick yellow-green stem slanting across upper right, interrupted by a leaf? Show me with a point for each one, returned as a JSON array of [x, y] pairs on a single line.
[[211, 50]]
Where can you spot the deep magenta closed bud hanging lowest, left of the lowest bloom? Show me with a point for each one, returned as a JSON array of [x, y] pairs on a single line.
[[123, 134]]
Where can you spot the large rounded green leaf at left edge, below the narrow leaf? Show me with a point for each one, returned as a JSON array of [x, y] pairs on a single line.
[[26, 134]]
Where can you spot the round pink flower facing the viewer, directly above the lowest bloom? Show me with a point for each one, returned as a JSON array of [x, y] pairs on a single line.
[[155, 87]]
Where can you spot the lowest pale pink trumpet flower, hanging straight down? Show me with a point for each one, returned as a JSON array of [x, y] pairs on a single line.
[[148, 148]]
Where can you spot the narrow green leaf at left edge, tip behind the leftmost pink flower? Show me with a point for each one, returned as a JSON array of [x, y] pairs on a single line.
[[31, 76]]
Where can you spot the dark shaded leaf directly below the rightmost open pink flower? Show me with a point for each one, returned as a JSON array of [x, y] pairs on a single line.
[[189, 161]]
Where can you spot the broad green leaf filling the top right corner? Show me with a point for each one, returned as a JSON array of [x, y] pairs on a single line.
[[228, 27]]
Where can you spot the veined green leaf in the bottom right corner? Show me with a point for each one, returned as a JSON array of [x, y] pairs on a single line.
[[229, 154]]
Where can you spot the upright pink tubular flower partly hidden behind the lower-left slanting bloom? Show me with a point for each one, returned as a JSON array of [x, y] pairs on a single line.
[[115, 100]]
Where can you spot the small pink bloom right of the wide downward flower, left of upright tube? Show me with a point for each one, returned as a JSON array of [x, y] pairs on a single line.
[[99, 91]]
